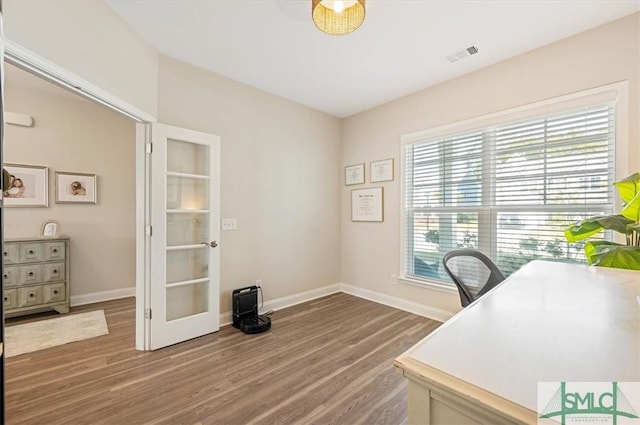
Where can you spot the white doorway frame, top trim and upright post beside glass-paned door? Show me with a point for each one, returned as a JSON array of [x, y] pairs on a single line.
[[24, 58]]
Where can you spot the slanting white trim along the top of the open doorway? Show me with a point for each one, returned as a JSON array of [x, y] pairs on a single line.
[[36, 64]]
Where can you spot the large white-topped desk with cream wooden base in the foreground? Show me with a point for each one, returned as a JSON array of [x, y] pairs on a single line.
[[547, 322]]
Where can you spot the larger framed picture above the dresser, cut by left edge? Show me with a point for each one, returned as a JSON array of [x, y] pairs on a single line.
[[28, 186]]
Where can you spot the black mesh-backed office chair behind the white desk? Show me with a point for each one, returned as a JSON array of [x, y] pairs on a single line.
[[473, 273]]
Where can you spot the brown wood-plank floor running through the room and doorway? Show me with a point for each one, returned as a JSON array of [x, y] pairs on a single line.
[[327, 361]]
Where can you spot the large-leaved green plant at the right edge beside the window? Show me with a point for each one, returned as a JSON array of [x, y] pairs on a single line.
[[607, 253]]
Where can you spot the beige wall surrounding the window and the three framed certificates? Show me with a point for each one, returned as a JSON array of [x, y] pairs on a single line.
[[371, 252]]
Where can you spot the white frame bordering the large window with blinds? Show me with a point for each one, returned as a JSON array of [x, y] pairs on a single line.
[[616, 92]]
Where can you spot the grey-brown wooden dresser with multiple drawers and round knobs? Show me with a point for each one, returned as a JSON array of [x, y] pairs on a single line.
[[35, 275]]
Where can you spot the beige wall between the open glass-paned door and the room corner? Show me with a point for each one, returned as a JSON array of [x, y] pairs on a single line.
[[280, 179]]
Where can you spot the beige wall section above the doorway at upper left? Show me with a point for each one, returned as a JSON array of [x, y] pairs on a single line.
[[88, 39]]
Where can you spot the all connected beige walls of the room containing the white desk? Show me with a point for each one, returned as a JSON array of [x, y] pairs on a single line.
[[282, 163]]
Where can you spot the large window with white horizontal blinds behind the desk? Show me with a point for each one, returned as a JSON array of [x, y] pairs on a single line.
[[509, 190]]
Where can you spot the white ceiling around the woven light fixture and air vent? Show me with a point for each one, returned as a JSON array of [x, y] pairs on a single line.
[[401, 47]]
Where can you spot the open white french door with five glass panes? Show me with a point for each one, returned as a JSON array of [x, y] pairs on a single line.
[[185, 216]]
